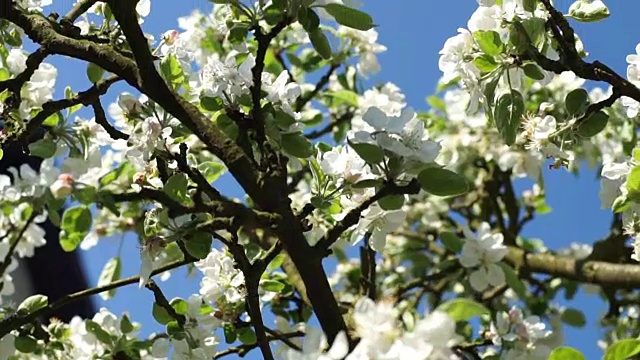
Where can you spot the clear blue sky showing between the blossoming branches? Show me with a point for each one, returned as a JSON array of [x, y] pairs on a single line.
[[413, 31]]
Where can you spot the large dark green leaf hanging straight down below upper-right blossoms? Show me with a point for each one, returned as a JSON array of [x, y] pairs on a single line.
[[508, 114]]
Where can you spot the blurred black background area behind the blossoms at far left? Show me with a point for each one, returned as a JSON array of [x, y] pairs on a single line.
[[54, 272]]
